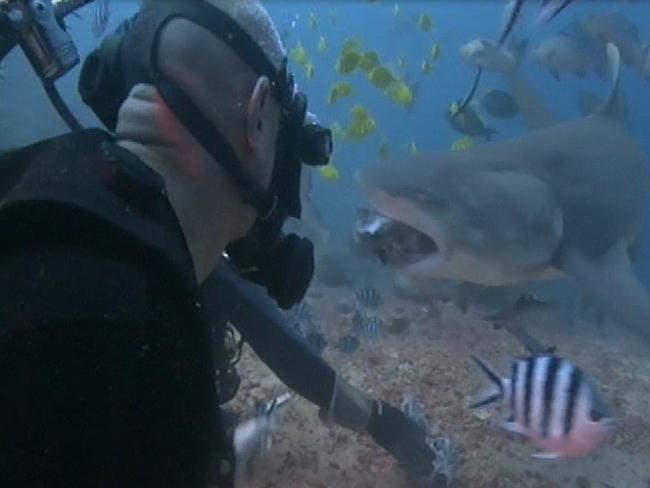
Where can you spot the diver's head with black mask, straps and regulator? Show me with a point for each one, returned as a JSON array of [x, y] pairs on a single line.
[[214, 110]]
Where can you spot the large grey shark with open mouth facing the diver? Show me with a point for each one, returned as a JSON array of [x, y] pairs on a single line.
[[562, 201]]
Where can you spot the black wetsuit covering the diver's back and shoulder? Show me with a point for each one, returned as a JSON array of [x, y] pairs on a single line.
[[106, 370]]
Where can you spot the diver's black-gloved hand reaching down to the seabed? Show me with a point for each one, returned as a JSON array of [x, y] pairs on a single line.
[[428, 460]]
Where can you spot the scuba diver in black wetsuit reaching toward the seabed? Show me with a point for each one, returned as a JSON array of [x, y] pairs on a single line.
[[126, 254]]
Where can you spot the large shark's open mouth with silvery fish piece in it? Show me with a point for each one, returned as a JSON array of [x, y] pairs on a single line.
[[394, 243]]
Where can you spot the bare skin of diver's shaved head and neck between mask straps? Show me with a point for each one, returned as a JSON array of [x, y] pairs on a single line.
[[238, 105]]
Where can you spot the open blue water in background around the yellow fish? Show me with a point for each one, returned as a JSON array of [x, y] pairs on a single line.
[[27, 116]]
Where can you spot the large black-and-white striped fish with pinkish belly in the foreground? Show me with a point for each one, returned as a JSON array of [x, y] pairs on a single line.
[[552, 403]]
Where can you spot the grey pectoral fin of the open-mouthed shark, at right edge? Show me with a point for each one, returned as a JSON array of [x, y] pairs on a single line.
[[611, 282]]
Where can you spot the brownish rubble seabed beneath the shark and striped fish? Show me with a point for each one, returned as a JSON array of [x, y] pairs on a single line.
[[431, 359]]
